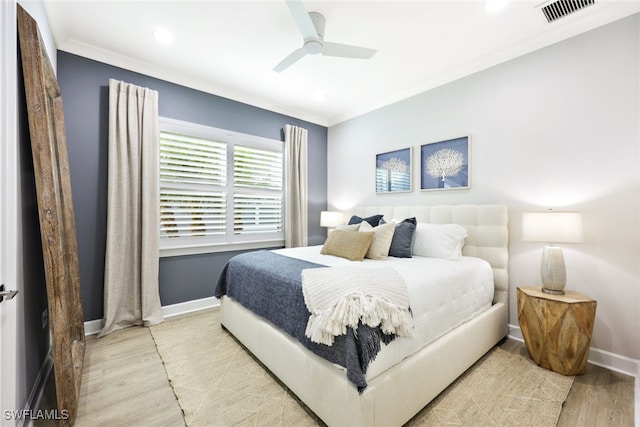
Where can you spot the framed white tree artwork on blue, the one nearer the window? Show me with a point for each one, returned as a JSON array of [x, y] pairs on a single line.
[[393, 171]]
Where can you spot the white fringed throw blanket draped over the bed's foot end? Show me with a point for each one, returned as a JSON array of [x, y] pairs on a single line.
[[339, 297]]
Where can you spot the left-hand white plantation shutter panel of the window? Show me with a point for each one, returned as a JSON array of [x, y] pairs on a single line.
[[193, 178]]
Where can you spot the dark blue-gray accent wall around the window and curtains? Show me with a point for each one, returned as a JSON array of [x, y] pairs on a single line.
[[85, 87]]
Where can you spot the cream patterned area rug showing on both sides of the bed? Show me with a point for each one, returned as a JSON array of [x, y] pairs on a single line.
[[217, 383]]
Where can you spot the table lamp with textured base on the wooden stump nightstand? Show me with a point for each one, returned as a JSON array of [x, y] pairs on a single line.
[[552, 227]]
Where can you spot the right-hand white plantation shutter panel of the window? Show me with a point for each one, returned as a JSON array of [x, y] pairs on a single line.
[[257, 199]]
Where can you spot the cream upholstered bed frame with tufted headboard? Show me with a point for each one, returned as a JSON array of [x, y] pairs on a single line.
[[393, 397]]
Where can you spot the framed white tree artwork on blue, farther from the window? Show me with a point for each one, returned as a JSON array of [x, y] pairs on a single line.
[[444, 165]]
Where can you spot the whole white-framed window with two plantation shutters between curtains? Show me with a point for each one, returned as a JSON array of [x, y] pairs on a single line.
[[219, 190]]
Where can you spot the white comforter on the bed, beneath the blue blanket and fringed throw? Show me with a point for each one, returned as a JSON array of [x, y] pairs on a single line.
[[443, 294]]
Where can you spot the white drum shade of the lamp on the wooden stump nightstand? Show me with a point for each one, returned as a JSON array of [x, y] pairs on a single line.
[[552, 227]]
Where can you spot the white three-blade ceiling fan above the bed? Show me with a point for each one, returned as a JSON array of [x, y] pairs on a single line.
[[311, 25]]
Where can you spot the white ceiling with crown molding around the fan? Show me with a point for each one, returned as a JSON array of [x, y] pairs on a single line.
[[229, 48]]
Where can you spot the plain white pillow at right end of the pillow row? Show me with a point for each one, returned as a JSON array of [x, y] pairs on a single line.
[[439, 240]]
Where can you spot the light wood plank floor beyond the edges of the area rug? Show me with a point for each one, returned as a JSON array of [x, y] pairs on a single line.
[[124, 383]]
